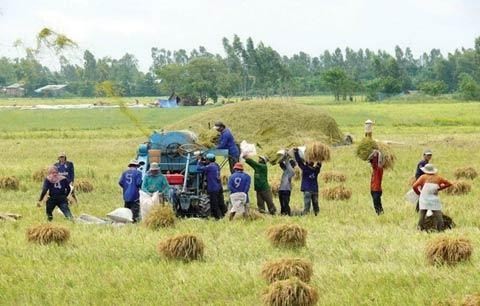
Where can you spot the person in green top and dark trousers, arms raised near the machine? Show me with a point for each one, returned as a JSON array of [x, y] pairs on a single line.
[[261, 186]]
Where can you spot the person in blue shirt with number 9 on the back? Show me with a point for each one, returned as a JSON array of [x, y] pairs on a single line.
[[239, 185]]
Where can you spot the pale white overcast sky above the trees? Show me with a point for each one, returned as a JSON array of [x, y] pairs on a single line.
[[114, 27]]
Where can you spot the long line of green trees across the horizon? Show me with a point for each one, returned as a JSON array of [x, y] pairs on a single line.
[[247, 69]]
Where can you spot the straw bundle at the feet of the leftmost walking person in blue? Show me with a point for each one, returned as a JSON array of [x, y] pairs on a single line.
[[48, 233]]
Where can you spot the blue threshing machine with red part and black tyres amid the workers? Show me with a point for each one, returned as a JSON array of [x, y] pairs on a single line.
[[176, 154]]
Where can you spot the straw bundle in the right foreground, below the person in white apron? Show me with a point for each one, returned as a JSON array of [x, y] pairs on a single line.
[[448, 250]]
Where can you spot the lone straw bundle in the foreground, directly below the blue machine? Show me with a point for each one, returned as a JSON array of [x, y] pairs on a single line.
[[184, 247]]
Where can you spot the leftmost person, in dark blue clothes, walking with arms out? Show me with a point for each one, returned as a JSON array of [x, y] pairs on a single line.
[[58, 188]]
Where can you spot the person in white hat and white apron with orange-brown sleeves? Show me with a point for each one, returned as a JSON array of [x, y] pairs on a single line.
[[428, 186]]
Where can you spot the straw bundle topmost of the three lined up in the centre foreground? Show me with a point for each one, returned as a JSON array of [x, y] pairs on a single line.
[[287, 235]]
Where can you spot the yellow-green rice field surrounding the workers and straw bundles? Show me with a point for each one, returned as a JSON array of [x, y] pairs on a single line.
[[359, 258]]
